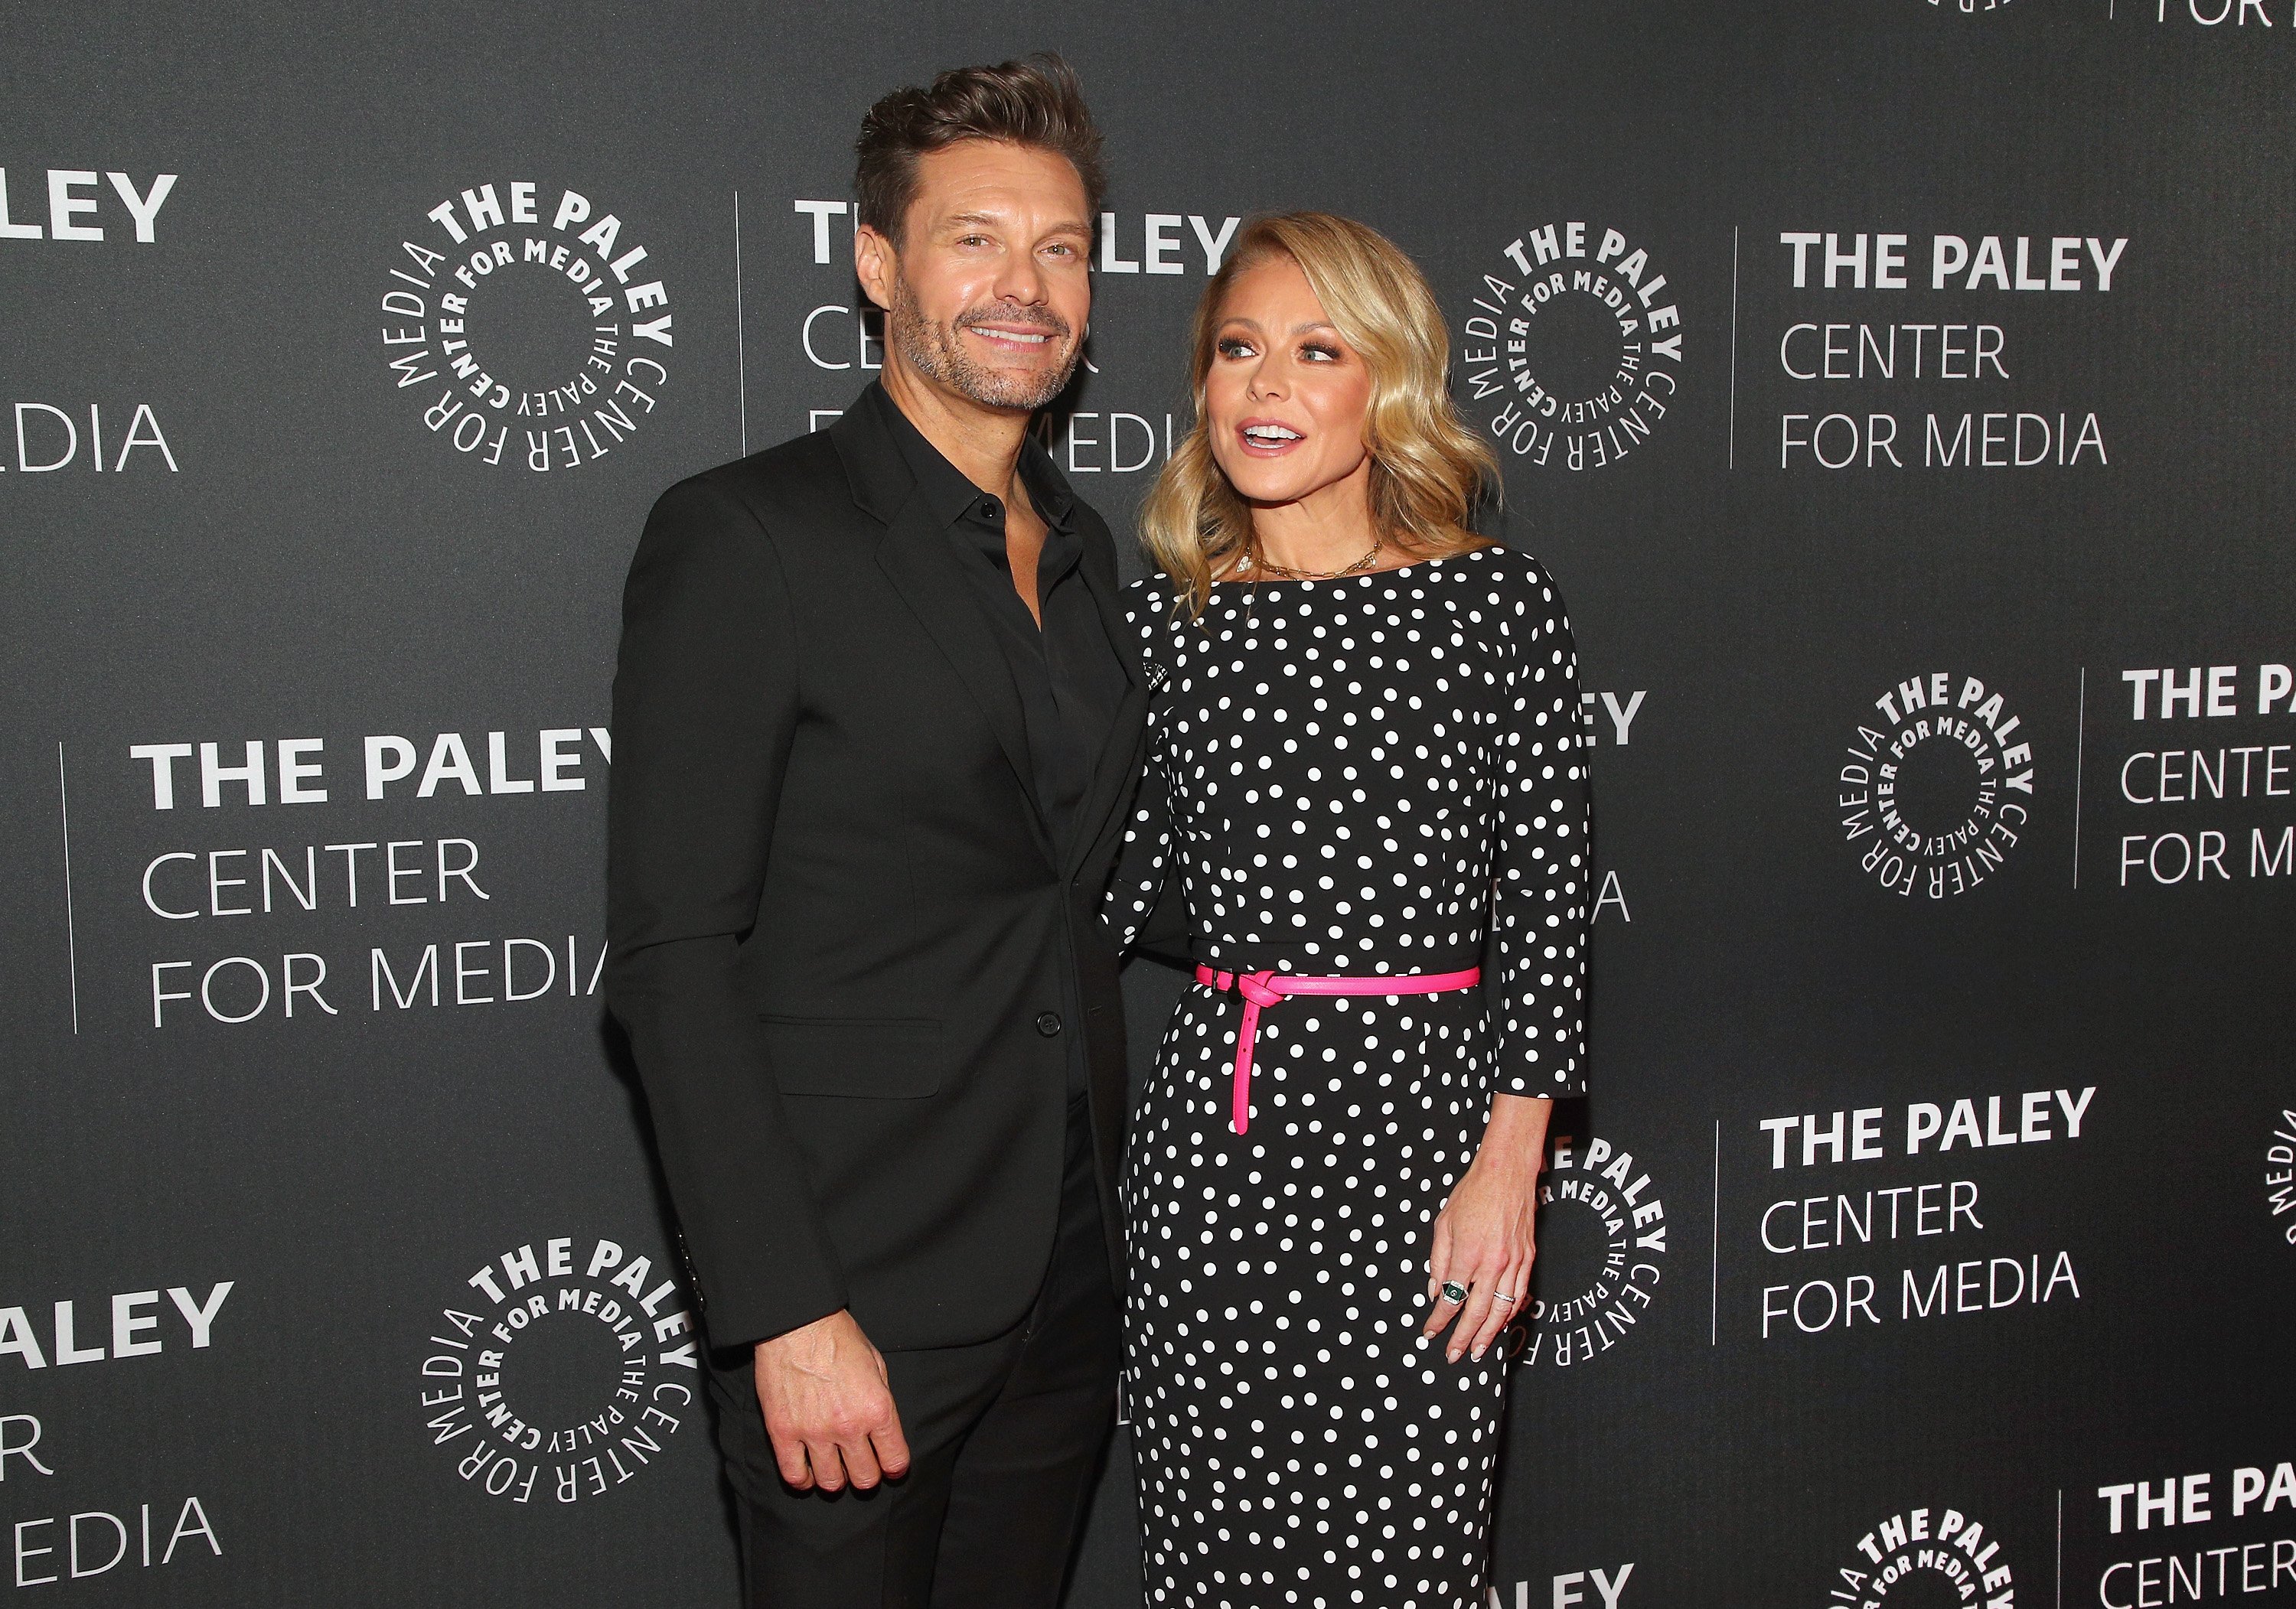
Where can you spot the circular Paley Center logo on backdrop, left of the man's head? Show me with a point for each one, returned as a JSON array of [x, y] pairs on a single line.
[[527, 329]]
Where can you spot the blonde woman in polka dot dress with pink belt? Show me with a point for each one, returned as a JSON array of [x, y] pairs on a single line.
[[1367, 772]]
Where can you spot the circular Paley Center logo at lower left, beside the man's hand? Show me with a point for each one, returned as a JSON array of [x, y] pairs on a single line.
[[564, 1376]]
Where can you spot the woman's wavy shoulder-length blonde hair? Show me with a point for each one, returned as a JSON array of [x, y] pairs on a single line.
[[1427, 465]]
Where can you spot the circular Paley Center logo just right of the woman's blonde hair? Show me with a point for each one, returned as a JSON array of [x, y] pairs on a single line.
[[1572, 350]]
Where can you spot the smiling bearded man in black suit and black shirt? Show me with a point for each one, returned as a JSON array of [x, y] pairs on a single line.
[[876, 726]]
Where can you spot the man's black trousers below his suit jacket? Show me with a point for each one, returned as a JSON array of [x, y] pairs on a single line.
[[1004, 1440]]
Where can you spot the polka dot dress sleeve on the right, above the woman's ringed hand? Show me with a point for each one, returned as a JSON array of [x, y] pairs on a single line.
[[1542, 855]]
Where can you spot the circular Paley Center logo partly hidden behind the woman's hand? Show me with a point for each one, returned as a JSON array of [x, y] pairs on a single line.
[[1601, 1254]]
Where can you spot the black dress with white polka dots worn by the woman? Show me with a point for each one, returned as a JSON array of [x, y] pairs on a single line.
[[1374, 775]]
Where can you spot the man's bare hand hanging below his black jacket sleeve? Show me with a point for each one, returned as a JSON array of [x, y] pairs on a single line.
[[828, 1408]]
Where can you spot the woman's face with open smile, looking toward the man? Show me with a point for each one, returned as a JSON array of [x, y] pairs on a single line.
[[1285, 394]]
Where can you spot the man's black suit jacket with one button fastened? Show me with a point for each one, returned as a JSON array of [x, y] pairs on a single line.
[[839, 928]]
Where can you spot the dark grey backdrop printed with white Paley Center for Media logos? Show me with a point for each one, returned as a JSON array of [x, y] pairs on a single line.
[[1900, 391]]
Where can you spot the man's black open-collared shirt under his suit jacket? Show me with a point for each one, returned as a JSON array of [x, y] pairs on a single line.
[[1064, 671]]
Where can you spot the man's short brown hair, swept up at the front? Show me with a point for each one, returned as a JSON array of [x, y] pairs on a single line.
[[1032, 102]]
